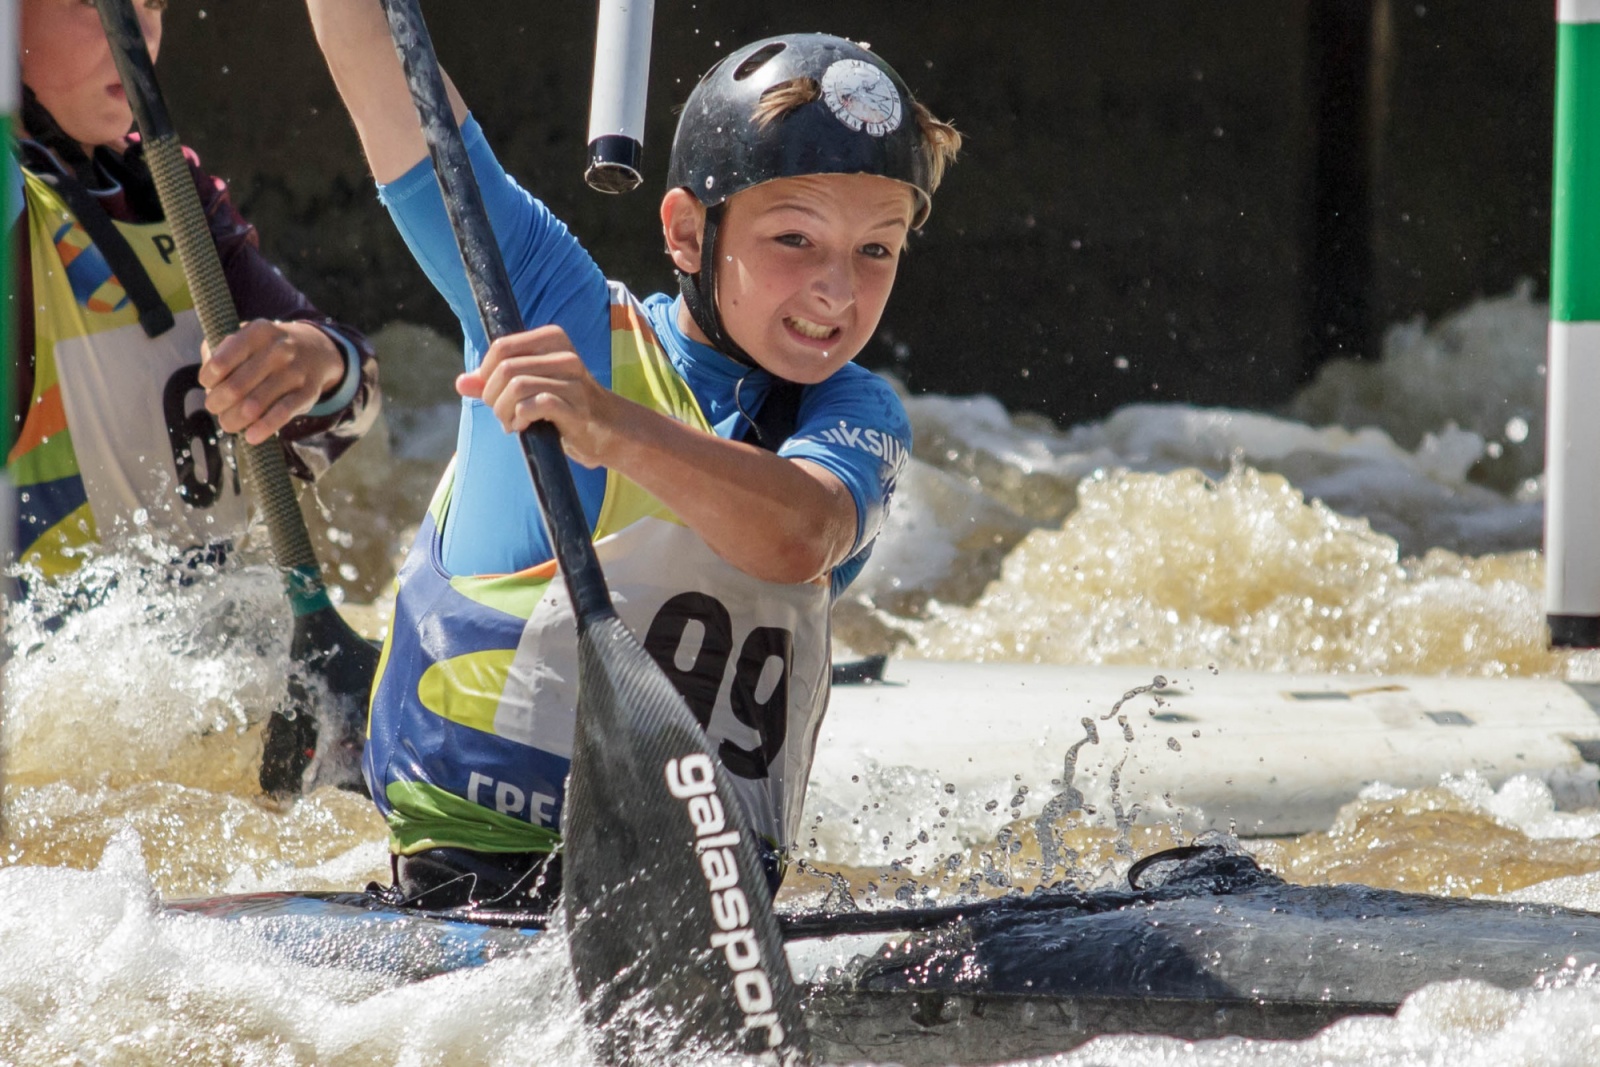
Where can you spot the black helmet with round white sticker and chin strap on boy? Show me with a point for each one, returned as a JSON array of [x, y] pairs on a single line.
[[862, 122]]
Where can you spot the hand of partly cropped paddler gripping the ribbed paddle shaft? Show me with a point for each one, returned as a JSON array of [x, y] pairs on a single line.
[[266, 375]]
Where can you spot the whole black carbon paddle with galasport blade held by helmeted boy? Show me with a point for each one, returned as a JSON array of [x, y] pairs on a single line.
[[673, 937]]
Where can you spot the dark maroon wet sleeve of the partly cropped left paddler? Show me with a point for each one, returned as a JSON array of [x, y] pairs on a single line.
[[260, 290]]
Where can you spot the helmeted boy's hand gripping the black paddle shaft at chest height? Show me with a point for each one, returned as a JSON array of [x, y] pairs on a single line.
[[535, 375]]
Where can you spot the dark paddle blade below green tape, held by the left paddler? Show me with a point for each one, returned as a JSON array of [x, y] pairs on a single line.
[[318, 737]]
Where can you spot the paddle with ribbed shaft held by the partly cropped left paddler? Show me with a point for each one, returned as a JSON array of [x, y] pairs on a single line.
[[330, 658]]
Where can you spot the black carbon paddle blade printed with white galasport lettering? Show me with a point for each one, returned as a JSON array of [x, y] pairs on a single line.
[[671, 927]]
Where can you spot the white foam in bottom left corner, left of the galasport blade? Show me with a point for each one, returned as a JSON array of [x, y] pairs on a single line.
[[97, 975]]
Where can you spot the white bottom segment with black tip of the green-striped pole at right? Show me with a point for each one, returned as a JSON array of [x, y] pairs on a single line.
[[1572, 518]]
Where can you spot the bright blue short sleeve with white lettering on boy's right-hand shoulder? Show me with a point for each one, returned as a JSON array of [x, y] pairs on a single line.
[[855, 428]]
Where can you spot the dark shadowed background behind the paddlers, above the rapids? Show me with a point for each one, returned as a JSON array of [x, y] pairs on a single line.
[[1134, 217]]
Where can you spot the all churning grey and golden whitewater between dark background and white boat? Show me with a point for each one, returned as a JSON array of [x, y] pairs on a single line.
[[1138, 532]]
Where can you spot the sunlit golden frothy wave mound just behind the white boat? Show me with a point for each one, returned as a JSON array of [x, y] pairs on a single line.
[[1242, 573]]
